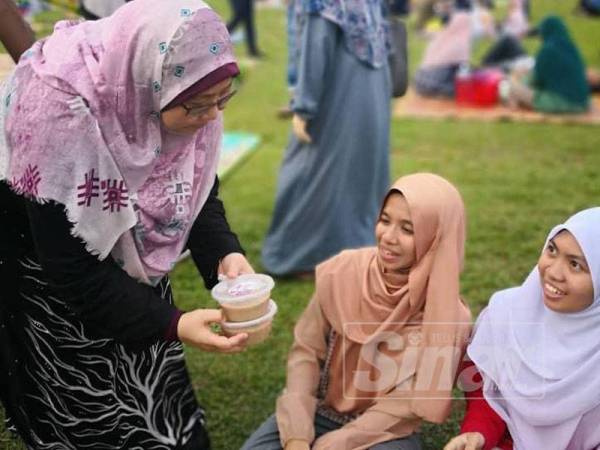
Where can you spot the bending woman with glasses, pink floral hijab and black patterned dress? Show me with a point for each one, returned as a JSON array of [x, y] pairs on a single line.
[[107, 171]]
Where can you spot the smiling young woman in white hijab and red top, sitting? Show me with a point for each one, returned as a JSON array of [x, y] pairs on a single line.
[[536, 346]]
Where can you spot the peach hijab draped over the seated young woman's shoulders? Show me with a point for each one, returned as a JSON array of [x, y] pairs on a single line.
[[420, 316]]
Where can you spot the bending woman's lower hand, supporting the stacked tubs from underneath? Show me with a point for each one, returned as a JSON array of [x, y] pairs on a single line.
[[194, 328]]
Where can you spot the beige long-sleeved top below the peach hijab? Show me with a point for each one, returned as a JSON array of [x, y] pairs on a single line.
[[297, 406]]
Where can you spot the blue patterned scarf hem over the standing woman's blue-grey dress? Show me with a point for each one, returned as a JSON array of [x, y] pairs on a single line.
[[362, 22]]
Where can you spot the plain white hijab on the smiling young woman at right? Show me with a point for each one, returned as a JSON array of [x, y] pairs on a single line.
[[541, 369]]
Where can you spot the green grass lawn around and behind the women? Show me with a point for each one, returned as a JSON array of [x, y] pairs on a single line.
[[518, 180]]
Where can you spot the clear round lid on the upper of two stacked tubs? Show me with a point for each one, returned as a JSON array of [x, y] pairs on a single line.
[[246, 287]]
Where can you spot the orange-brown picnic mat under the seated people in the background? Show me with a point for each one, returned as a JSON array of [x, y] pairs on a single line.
[[414, 106]]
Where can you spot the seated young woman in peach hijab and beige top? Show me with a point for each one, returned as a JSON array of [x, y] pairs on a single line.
[[364, 371]]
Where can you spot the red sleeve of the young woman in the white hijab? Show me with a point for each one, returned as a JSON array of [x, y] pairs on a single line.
[[479, 415]]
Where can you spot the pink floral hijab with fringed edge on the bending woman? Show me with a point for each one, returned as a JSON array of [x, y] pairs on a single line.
[[81, 122]]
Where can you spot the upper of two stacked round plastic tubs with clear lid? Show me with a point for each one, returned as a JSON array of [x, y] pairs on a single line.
[[244, 298]]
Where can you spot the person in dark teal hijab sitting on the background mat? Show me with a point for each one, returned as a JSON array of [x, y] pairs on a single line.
[[558, 82]]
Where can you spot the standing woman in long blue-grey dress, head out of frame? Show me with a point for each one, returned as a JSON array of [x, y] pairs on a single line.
[[336, 166]]
